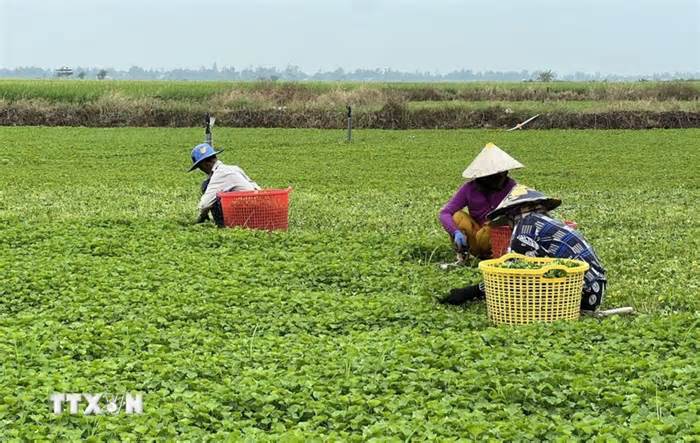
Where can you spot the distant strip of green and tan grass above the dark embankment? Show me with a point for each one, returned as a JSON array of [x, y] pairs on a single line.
[[296, 93]]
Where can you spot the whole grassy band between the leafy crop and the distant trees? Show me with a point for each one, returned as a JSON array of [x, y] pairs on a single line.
[[386, 106]]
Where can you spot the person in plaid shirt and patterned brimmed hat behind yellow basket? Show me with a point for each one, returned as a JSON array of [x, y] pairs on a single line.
[[536, 234]]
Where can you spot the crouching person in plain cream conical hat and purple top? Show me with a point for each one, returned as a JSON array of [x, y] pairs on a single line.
[[464, 216]]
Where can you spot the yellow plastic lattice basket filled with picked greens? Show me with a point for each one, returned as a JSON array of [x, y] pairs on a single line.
[[519, 296]]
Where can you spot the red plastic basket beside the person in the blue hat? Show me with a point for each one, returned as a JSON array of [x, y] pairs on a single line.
[[265, 209]]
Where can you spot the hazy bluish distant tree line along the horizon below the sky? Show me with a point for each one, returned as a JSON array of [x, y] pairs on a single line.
[[295, 73]]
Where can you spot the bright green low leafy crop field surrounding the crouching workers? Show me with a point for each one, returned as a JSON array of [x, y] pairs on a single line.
[[331, 330]]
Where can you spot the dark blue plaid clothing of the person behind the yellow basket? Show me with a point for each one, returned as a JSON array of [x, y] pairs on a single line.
[[538, 235]]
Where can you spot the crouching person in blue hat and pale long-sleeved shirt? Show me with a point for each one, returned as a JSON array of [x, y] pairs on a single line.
[[220, 178]]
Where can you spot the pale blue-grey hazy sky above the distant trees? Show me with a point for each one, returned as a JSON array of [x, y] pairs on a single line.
[[625, 37]]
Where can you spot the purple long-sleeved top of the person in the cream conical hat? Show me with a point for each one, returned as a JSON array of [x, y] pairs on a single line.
[[479, 204]]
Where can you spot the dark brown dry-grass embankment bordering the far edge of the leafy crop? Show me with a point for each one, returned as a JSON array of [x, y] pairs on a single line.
[[390, 116]]
